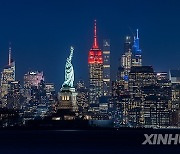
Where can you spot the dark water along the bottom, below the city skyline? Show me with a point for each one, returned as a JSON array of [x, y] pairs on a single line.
[[72, 141]]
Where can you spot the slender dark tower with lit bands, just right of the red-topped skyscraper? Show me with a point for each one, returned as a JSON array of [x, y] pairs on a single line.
[[106, 68]]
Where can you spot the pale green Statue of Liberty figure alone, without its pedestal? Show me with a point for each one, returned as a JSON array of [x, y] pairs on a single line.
[[69, 71]]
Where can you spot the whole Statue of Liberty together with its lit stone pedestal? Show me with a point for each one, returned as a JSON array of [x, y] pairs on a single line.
[[67, 106]]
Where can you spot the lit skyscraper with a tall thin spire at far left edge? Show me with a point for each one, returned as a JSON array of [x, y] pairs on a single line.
[[7, 76]]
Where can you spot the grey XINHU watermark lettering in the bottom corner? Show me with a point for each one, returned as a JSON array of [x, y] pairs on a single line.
[[157, 139]]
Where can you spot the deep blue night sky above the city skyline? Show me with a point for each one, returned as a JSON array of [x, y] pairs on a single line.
[[42, 31]]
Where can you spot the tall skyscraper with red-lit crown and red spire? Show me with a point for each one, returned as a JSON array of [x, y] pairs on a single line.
[[95, 63]]
